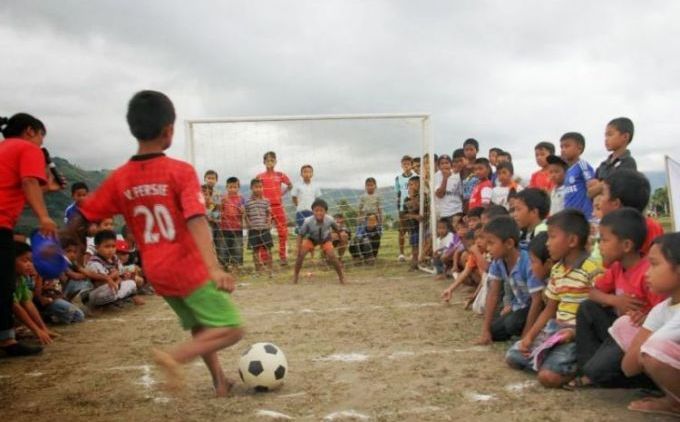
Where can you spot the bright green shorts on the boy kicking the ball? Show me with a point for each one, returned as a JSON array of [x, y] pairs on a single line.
[[205, 307]]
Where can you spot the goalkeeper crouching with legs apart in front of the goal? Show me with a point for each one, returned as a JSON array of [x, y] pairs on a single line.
[[316, 231]]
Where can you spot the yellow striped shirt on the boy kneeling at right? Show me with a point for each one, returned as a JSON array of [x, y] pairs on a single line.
[[570, 287]]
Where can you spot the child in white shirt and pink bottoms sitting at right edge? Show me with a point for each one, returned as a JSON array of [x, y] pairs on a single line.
[[655, 347]]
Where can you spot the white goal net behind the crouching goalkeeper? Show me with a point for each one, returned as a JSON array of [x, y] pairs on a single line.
[[343, 151]]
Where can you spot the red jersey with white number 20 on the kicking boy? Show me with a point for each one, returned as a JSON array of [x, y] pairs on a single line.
[[157, 195]]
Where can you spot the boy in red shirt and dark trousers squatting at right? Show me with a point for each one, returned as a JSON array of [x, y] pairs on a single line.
[[620, 290]]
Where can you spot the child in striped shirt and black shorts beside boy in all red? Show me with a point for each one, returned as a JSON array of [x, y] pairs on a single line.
[[259, 223]]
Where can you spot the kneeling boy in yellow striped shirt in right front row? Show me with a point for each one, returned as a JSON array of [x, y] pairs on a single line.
[[548, 347]]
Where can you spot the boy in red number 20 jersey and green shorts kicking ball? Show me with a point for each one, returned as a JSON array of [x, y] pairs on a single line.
[[161, 201]]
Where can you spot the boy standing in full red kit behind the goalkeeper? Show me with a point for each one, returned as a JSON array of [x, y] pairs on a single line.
[[271, 184]]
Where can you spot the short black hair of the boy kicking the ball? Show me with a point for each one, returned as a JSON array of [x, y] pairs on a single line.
[[149, 112]]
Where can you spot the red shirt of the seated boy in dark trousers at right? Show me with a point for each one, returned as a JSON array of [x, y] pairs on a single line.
[[632, 283]]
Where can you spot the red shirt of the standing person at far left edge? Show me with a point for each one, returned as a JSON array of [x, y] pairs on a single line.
[[19, 159]]
